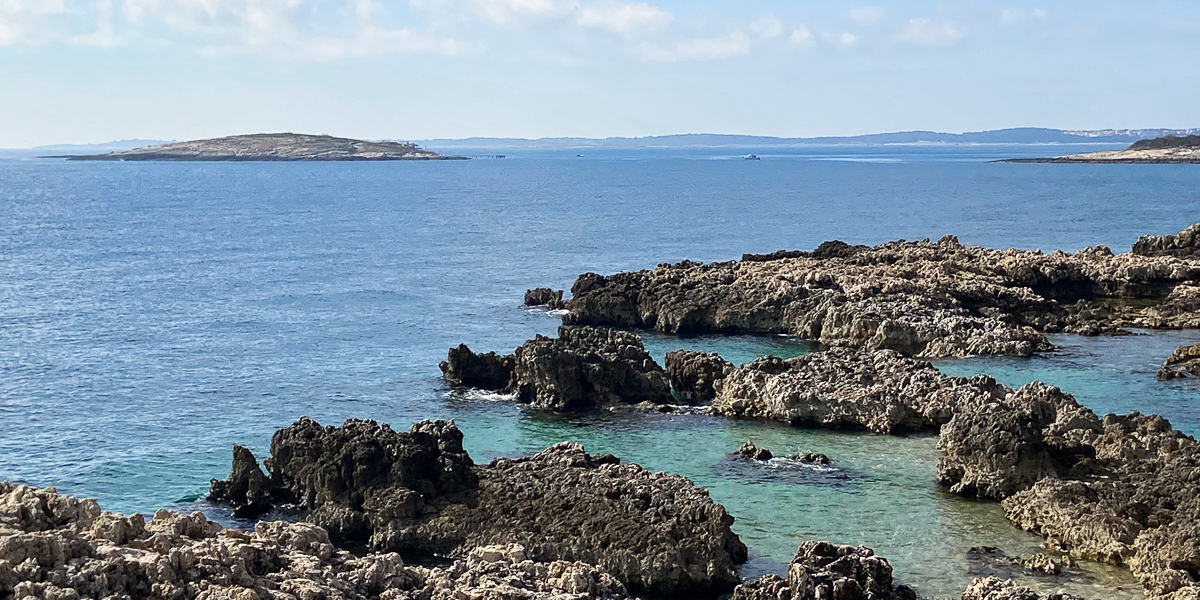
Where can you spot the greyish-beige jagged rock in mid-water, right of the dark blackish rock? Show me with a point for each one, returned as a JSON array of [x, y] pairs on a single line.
[[847, 388]]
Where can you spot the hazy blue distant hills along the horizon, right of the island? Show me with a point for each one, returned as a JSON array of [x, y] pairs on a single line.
[[1012, 136]]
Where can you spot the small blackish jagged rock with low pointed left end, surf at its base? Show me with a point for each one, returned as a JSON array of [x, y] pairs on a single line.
[[583, 369]]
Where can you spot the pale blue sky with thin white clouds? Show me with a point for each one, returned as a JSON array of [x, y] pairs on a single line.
[[92, 71]]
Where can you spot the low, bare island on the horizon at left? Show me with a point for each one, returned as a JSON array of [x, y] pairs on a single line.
[[275, 147]]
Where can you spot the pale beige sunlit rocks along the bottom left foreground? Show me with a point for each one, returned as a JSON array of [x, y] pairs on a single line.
[[57, 548]]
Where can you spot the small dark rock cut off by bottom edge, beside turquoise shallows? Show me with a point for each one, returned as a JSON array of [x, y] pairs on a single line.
[[823, 571]]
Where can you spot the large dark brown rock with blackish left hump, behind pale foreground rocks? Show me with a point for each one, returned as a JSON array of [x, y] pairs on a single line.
[[418, 494]]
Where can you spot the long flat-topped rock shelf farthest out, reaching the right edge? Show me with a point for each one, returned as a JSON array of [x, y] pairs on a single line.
[[925, 299]]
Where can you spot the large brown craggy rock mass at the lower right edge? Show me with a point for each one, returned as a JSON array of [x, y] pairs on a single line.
[[1121, 490]]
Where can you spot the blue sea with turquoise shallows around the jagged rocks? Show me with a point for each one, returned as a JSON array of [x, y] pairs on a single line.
[[153, 315]]
